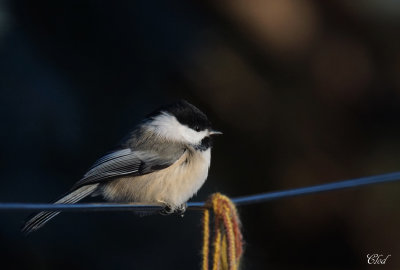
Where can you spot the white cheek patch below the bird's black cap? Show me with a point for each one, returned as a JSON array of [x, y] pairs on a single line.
[[167, 126]]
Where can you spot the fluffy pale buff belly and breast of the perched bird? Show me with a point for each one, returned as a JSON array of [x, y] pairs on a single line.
[[173, 185]]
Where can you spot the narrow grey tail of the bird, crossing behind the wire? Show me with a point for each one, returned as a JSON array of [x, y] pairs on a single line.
[[38, 220]]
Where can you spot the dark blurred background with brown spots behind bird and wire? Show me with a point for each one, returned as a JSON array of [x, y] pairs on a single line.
[[306, 92]]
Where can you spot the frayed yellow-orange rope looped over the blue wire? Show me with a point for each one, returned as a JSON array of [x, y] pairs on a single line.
[[227, 240]]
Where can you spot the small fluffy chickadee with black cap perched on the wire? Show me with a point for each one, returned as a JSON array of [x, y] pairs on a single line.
[[165, 159]]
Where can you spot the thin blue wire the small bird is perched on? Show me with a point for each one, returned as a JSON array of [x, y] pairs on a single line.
[[245, 200]]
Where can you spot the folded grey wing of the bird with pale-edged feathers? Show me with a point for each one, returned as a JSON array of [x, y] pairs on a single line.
[[128, 162]]
